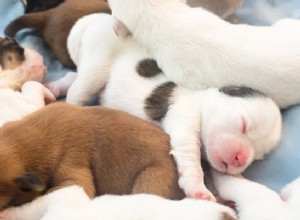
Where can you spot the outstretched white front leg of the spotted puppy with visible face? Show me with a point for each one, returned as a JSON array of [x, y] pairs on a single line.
[[184, 131]]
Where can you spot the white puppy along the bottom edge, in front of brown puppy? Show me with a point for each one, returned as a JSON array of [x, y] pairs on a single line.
[[73, 203]]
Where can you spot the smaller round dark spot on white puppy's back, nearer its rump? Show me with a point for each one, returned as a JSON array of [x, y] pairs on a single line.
[[148, 68]]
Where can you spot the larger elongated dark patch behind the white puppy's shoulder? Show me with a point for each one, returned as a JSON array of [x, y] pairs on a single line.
[[157, 104]]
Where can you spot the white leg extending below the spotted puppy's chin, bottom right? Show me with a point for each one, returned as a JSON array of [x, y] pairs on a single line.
[[252, 200]]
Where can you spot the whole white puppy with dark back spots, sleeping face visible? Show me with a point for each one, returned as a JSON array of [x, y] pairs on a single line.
[[230, 128]]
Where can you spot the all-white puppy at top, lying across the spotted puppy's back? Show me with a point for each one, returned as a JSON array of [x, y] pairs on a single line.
[[197, 49]]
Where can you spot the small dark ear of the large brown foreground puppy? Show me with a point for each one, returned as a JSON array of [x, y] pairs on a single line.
[[29, 182]]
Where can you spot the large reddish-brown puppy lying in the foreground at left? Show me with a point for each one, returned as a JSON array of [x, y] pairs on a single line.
[[105, 151]]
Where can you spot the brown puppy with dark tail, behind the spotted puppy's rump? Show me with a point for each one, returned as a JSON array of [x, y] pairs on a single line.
[[55, 24]]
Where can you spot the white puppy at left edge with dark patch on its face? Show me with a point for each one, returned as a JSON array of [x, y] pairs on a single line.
[[21, 73]]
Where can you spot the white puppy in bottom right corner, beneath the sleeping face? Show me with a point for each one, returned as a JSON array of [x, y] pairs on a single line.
[[256, 201]]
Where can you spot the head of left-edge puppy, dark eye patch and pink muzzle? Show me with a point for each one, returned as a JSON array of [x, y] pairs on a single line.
[[18, 65]]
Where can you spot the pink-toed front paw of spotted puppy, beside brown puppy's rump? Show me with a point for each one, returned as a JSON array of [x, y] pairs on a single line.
[[194, 188]]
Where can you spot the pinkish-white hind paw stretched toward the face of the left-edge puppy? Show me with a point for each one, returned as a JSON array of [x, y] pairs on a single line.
[[60, 87]]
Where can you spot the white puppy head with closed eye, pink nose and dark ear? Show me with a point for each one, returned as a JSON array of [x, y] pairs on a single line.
[[239, 125]]
